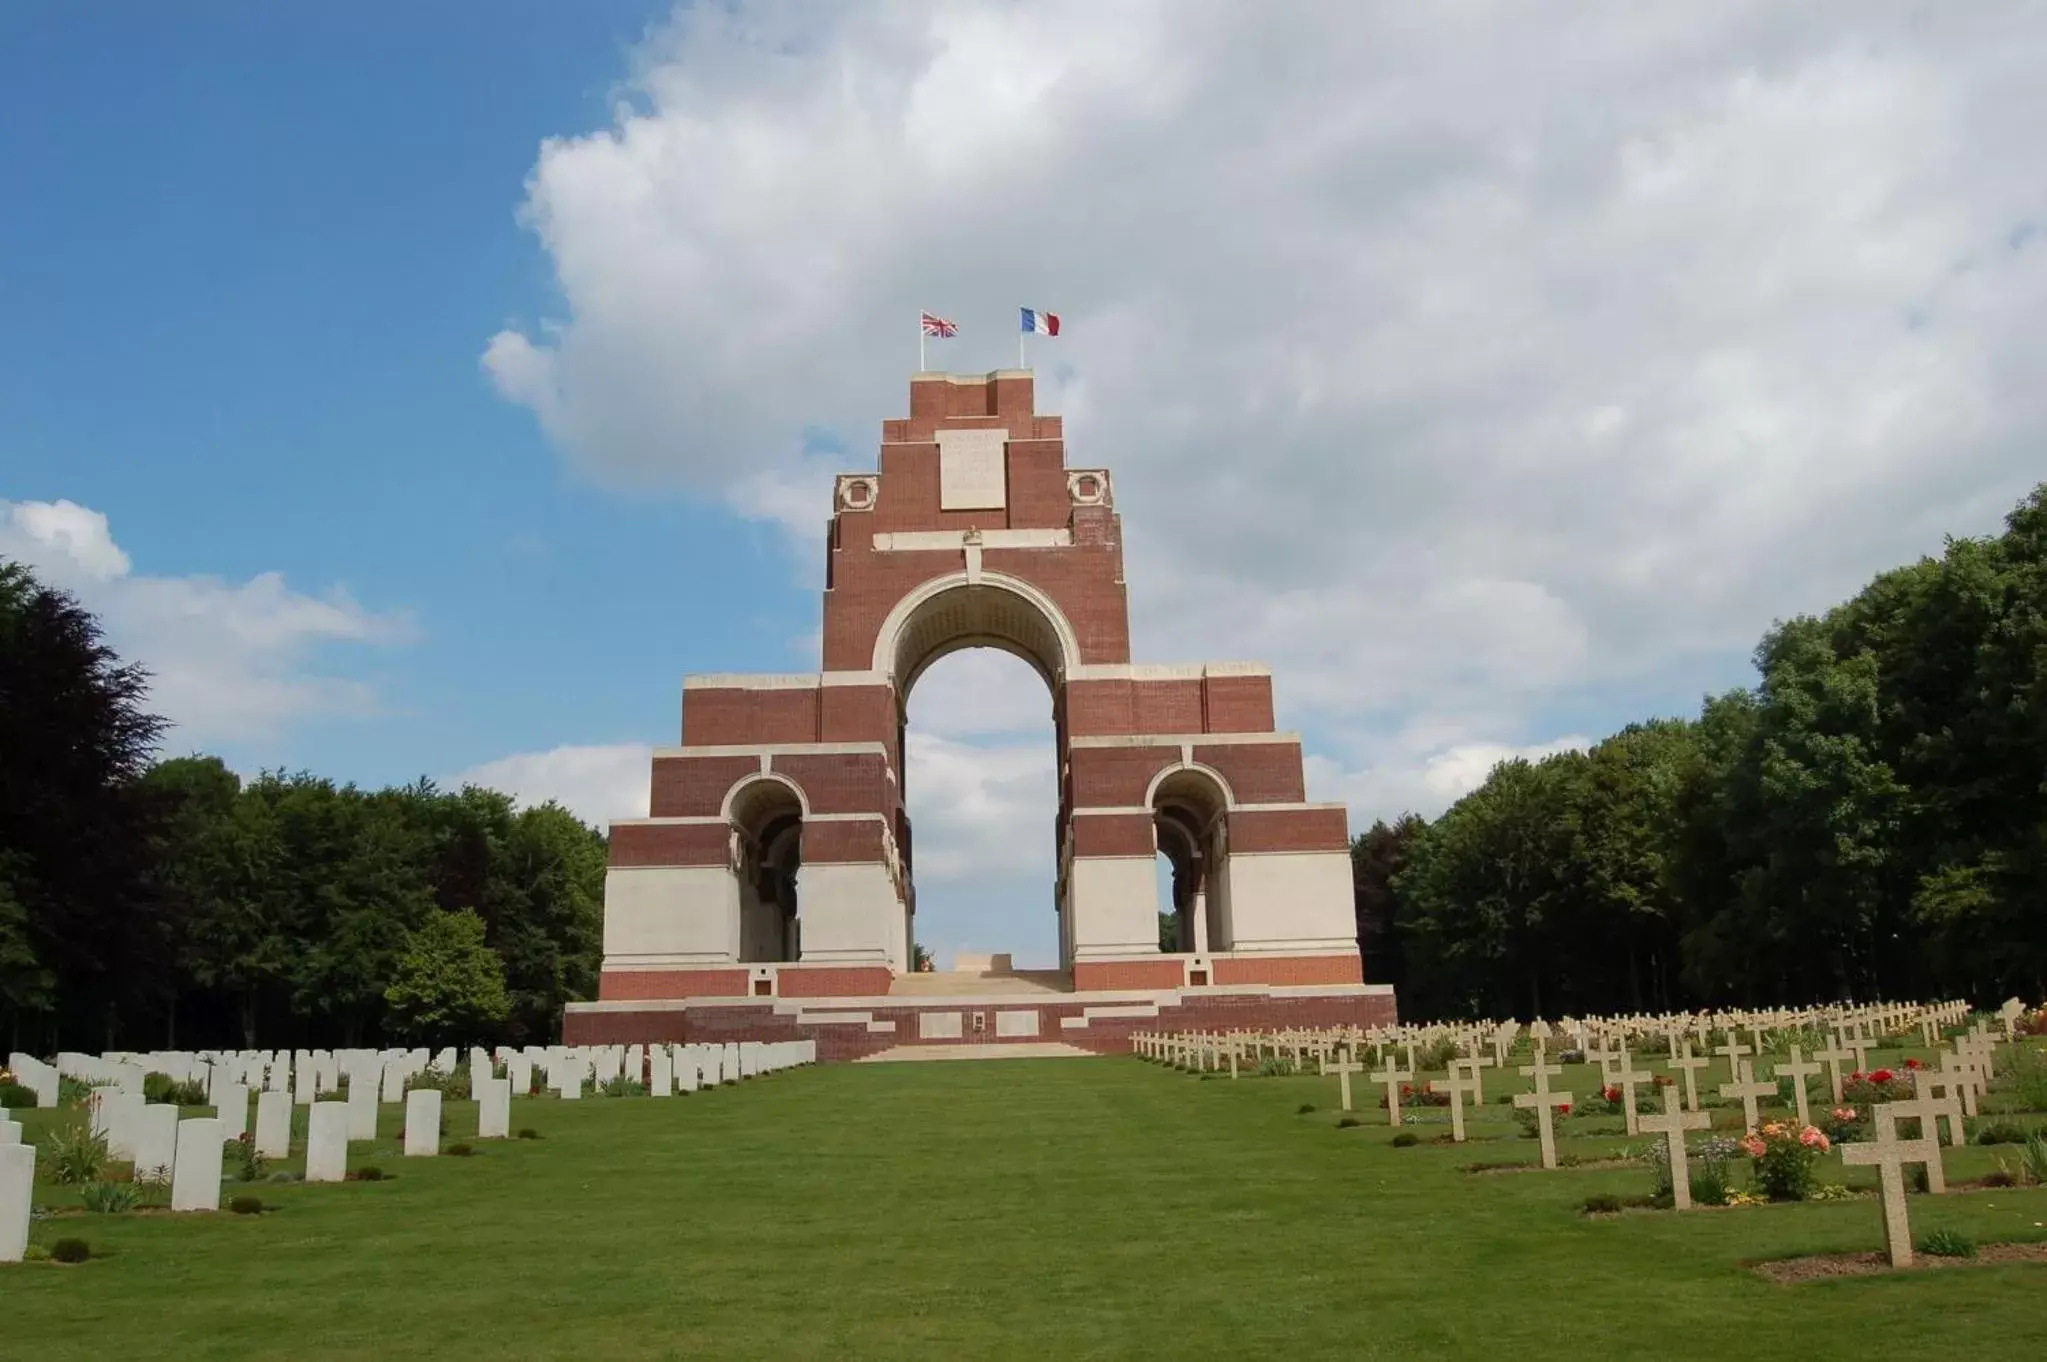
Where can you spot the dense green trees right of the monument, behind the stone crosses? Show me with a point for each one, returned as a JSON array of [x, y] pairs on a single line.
[[1868, 820]]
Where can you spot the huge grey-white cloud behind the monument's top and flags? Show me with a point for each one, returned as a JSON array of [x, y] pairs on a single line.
[[1452, 359]]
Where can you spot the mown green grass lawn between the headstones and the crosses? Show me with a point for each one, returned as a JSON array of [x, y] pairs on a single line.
[[1018, 1209]]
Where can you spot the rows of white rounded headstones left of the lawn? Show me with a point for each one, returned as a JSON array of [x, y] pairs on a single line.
[[189, 1152]]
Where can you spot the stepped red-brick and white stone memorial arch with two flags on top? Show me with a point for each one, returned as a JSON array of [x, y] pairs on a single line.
[[771, 892]]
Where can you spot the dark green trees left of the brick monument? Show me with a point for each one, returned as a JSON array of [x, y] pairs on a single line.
[[173, 904]]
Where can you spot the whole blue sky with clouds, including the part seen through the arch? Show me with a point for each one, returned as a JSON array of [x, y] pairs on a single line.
[[427, 390]]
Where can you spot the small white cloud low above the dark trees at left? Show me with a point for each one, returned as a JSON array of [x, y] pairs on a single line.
[[228, 661]]
